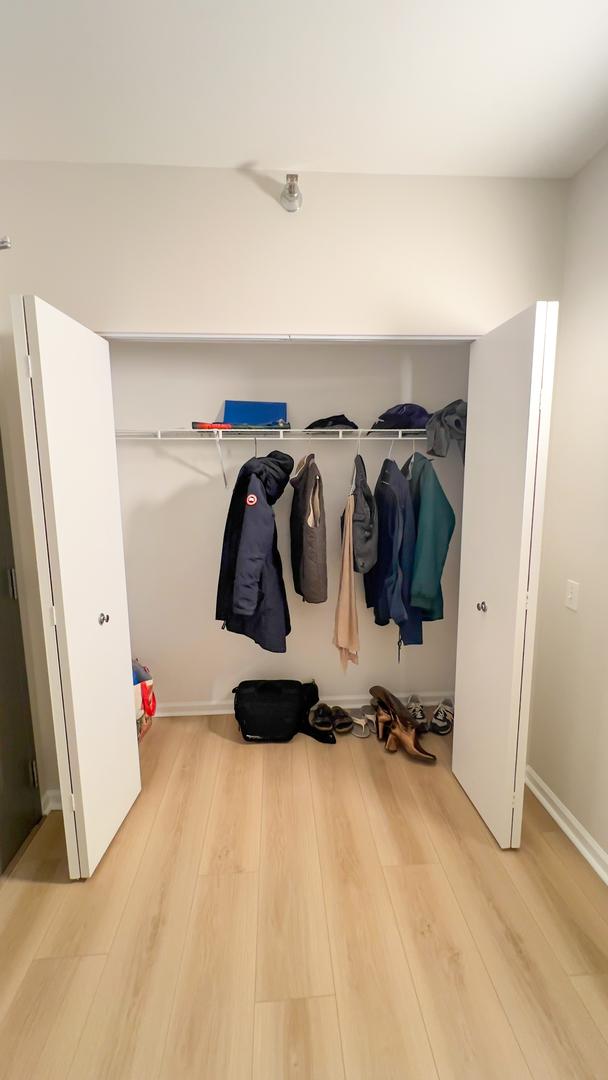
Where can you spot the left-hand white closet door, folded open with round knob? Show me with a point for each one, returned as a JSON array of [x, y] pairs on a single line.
[[75, 426]]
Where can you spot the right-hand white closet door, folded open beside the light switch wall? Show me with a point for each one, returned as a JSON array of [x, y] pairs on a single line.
[[510, 388]]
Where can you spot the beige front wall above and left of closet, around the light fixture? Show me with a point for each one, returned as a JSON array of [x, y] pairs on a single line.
[[150, 249]]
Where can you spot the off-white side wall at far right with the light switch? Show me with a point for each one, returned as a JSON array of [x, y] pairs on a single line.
[[570, 724]]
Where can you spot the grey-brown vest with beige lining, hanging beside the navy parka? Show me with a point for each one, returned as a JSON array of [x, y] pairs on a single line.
[[309, 553]]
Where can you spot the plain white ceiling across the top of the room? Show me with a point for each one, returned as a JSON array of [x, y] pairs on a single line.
[[504, 88]]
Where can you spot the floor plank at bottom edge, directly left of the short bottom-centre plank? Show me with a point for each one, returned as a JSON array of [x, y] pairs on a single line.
[[211, 1032]]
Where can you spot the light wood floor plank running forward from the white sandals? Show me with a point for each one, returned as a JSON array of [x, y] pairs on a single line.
[[399, 830]]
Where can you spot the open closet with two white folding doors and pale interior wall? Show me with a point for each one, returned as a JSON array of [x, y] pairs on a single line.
[[154, 501]]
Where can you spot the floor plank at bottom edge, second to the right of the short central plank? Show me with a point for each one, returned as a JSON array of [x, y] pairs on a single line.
[[469, 1031]]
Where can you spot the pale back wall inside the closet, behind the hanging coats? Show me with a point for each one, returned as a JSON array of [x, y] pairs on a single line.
[[175, 504]]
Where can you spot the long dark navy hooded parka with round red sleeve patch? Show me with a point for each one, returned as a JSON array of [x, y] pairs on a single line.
[[251, 592]]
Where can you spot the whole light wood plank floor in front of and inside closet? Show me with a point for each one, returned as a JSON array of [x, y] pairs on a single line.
[[303, 913]]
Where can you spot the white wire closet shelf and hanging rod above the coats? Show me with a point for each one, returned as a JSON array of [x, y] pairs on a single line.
[[274, 435]]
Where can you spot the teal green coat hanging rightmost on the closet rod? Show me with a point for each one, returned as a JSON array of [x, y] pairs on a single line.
[[436, 523]]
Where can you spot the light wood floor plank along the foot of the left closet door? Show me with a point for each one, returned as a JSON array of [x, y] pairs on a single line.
[[89, 916]]
